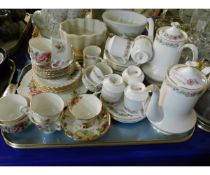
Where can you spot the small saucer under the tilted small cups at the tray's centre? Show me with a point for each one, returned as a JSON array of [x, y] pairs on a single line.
[[88, 83]]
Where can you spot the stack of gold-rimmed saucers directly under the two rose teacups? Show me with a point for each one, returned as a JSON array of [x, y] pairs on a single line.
[[54, 72]]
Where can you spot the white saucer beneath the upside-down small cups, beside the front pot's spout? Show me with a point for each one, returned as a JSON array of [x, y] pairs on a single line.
[[119, 113]]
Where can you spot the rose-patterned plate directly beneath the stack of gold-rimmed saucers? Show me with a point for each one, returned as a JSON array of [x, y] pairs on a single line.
[[61, 82]]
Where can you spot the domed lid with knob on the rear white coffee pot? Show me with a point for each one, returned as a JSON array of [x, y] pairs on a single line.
[[173, 33]]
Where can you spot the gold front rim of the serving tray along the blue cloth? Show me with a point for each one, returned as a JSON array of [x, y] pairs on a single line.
[[101, 144]]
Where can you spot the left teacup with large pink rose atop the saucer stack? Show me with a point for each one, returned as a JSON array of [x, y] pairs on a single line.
[[40, 50]]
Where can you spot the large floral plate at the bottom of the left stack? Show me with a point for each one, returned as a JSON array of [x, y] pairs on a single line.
[[28, 89]]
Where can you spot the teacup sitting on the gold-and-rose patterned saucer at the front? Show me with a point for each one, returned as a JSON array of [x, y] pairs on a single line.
[[85, 108]]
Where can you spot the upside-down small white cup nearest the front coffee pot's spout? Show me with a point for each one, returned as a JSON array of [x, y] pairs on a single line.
[[135, 96]]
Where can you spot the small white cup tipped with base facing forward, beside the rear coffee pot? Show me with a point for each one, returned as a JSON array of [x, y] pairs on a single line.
[[142, 51]]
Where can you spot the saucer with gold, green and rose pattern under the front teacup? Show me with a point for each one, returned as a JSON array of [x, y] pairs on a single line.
[[77, 132]]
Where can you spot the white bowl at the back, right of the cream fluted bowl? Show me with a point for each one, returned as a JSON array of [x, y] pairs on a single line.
[[124, 23]]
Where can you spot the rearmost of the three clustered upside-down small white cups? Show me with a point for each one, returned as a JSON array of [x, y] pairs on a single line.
[[133, 74]]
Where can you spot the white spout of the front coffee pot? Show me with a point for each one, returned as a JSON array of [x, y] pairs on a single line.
[[154, 112]]
